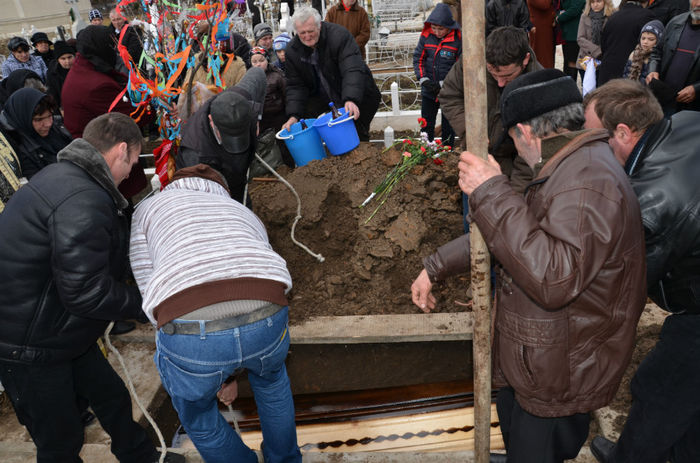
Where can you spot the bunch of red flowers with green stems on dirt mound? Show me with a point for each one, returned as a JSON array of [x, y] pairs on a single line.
[[415, 151]]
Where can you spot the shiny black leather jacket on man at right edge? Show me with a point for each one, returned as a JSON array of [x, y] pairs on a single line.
[[664, 168]]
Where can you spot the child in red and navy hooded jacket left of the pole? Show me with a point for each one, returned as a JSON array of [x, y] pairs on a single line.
[[439, 47]]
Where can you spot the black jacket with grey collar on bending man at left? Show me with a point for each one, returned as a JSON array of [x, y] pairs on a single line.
[[64, 247]]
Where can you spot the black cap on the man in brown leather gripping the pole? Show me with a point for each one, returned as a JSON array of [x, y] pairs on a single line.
[[536, 93]]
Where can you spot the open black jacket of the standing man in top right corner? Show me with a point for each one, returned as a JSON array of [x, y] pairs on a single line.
[[662, 55]]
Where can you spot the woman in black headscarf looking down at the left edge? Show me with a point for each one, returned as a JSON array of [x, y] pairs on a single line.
[[27, 120]]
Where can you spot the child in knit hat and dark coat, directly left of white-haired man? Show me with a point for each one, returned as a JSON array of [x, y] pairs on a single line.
[[274, 114]]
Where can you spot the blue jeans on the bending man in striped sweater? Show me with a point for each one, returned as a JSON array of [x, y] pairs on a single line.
[[193, 368]]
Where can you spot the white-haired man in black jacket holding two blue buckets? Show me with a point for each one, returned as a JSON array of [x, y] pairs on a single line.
[[324, 65]]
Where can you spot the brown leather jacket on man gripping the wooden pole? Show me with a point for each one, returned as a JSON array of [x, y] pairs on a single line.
[[571, 283]]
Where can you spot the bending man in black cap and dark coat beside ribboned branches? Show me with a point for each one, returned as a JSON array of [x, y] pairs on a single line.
[[222, 133]]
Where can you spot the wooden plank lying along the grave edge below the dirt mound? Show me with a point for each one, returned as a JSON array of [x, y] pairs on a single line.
[[357, 329]]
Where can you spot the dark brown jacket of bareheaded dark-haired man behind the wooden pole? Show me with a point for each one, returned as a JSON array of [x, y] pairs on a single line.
[[500, 144]]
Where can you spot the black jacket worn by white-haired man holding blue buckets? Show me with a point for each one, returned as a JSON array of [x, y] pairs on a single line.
[[341, 64]]
